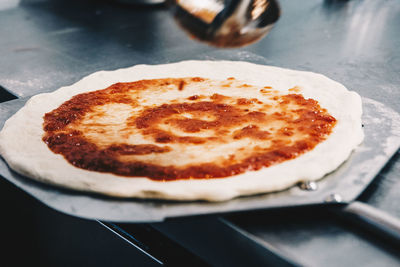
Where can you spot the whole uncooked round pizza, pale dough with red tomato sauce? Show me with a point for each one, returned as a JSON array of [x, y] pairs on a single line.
[[210, 130]]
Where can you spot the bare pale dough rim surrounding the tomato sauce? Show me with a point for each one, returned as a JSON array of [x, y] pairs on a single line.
[[22, 147]]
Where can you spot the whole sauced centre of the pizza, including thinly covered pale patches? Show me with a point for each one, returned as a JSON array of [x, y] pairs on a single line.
[[184, 128]]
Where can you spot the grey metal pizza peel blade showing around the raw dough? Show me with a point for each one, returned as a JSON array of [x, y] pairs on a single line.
[[343, 186]]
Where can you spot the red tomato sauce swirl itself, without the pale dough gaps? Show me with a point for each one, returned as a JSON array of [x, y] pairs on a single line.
[[218, 119]]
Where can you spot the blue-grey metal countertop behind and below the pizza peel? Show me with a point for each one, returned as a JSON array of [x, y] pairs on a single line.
[[45, 44]]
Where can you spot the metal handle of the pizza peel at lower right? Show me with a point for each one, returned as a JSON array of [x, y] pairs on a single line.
[[375, 219]]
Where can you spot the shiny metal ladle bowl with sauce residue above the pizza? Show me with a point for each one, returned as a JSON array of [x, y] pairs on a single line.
[[231, 23]]
